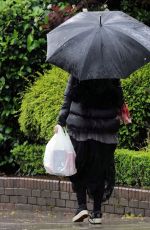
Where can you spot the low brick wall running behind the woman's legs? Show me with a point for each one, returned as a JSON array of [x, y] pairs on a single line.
[[43, 194]]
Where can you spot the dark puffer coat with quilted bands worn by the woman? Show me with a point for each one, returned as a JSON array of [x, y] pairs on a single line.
[[92, 106]]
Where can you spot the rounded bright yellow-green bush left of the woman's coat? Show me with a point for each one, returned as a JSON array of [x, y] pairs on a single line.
[[41, 105]]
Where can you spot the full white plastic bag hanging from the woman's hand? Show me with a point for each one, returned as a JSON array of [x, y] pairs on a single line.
[[59, 157]]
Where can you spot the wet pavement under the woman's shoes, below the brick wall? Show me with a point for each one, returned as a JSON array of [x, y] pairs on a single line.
[[42, 220]]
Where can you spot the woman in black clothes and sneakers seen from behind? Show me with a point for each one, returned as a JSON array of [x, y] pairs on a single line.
[[90, 112]]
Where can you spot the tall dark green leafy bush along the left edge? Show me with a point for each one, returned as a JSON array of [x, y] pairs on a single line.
[[22, 53]]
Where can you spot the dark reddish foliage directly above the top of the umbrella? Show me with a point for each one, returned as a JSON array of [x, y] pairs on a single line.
[[60, 11]]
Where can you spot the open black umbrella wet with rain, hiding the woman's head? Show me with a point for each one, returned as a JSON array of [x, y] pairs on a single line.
[[93, 45]]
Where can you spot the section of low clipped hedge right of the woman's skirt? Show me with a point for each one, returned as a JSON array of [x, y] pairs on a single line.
[[132, 167]]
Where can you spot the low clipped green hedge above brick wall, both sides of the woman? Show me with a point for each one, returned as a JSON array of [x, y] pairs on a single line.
[[132, 167]]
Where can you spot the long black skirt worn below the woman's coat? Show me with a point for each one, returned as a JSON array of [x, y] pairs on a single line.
[[95, 168]]
